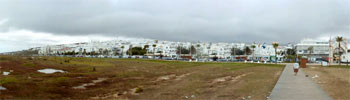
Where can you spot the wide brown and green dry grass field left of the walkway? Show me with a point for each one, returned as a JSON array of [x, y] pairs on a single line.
[[179, 79]]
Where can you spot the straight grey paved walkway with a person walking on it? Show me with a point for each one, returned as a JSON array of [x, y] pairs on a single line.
[[290, 87]]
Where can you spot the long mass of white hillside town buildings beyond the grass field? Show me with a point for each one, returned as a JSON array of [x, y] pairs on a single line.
[[165, 48]]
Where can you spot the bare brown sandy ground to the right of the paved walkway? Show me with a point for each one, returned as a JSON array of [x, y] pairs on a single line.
[[335, 81]]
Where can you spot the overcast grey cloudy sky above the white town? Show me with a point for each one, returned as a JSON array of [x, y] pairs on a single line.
[[28, 23]]
